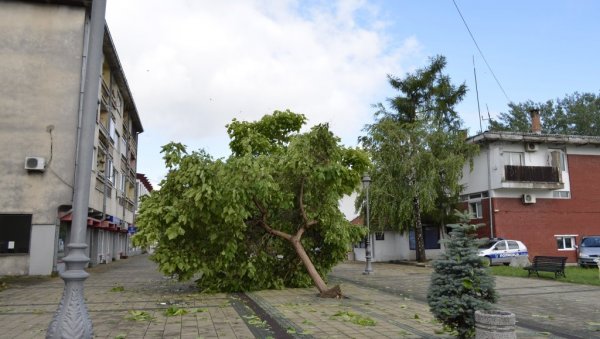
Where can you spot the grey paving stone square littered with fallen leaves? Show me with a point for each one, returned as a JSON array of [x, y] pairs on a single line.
[[393, 298]]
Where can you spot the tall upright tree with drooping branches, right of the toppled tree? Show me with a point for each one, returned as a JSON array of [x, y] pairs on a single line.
[[418, 150]]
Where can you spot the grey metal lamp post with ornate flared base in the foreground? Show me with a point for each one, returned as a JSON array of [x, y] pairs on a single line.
[[72, 320]]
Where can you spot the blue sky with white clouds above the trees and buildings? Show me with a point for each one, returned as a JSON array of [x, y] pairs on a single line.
[[193, 65]]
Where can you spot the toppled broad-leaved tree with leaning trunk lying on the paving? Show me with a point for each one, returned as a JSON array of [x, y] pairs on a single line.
[[266, 217]]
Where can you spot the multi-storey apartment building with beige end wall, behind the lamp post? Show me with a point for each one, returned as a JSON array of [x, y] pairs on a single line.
[[43, 47]]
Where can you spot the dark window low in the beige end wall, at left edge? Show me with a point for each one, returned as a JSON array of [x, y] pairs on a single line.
[[15, 233]]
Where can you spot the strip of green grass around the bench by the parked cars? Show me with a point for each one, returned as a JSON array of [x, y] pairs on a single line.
[[575, 274]]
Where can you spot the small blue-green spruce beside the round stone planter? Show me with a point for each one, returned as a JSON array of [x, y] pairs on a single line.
[[460, 283]]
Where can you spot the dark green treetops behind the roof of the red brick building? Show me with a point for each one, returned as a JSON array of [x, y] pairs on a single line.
[[575, 114]]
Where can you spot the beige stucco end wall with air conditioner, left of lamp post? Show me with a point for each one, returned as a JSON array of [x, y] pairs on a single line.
[[41, 47]]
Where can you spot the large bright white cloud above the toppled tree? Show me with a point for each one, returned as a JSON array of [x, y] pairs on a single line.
[[195, 65]]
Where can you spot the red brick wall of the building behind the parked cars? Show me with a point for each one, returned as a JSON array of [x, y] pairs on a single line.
[[536, 224]]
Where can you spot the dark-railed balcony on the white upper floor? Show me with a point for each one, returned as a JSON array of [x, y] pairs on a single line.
[[537, 177]]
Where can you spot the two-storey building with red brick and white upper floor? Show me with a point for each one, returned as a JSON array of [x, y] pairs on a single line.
[[541, 189]]
